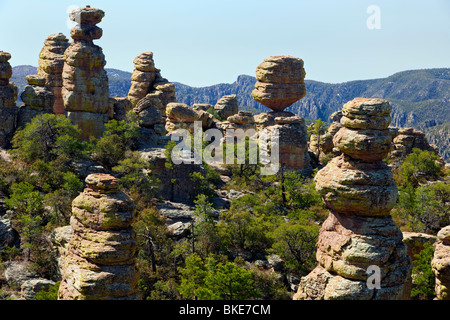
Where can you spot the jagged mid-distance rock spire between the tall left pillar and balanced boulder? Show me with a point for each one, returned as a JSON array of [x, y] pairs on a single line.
[[150, 93]]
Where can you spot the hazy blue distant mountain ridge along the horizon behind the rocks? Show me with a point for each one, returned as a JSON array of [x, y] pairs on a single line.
[[419, 98]]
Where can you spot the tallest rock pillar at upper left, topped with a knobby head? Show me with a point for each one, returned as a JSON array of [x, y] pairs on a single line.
[[85, 83]]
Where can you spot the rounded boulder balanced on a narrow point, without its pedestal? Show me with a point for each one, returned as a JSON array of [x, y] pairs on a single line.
[[280, 82]]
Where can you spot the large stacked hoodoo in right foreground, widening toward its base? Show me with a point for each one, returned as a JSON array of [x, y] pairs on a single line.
[[359, 235]]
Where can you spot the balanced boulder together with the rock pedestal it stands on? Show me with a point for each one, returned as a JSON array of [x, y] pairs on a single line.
[[281, 83]]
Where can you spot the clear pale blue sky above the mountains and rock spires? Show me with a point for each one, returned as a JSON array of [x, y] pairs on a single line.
[[205, 42]]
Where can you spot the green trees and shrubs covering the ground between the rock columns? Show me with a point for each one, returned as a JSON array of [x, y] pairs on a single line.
[[229, 252]]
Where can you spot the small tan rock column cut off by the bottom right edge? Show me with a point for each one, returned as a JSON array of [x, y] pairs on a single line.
[[441, 264]]
